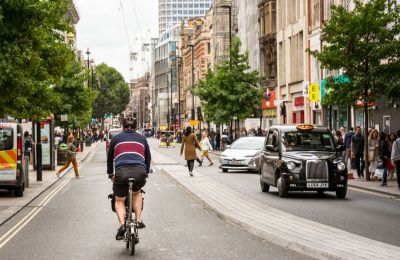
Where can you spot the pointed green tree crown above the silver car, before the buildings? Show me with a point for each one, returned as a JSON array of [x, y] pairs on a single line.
[[231, 90]]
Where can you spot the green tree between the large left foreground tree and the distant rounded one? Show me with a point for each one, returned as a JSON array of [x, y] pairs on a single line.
[[76, 97]]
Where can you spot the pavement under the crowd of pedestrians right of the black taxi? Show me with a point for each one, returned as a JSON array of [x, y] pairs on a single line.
[[374, 186]]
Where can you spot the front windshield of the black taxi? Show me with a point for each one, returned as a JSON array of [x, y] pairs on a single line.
[[307, 141]]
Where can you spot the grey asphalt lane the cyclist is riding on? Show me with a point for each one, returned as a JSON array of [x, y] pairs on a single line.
[[77, 223]]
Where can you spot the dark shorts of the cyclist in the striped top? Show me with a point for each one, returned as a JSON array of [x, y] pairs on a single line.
[[122, 174]]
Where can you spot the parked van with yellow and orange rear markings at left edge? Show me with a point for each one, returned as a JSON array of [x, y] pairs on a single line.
[[12, 158]]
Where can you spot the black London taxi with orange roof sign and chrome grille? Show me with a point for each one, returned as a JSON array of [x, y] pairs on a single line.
[[302, 158]]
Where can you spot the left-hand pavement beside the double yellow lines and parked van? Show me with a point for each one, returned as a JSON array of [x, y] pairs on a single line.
[[10, 205]]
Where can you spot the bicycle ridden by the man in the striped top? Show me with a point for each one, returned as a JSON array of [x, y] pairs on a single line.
[[132, 234]]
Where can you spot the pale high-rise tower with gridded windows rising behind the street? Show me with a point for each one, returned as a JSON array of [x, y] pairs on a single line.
[[172, 12]]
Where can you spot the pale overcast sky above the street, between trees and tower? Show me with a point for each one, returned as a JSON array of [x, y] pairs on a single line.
[[111, 29]]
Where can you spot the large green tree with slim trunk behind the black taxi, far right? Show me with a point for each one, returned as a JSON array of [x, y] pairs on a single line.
[[365, 44]]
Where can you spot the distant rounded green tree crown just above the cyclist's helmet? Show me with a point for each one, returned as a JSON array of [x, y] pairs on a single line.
[[113, 92]]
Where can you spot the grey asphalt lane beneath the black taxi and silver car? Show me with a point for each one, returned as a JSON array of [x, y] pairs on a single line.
[[361, 213]]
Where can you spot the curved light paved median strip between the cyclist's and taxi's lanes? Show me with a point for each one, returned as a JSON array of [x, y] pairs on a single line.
[[289, 231]]
